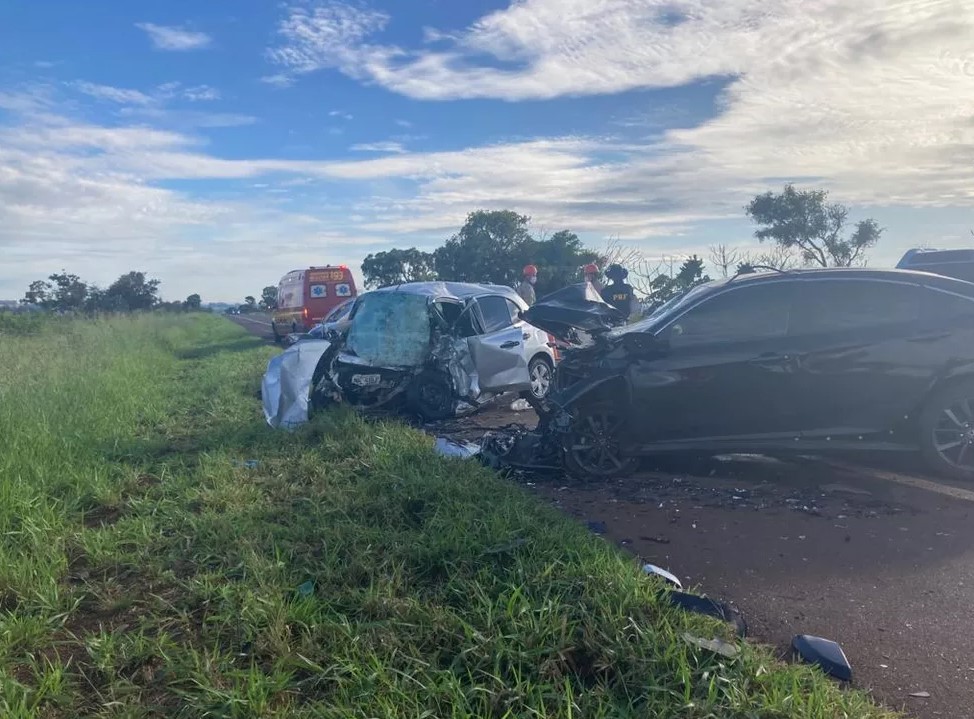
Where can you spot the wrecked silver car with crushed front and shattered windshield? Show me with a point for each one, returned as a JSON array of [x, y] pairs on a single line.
[[438, 349]]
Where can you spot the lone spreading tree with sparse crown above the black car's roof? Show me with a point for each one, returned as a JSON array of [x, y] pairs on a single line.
[[805, 221]]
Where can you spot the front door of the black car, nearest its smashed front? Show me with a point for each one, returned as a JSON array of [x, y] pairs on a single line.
[[724, 370]]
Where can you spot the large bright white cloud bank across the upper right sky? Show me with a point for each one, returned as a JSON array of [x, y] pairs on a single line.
[[868, 97]]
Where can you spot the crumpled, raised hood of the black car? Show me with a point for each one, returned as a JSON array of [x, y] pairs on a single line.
[[576, 307]]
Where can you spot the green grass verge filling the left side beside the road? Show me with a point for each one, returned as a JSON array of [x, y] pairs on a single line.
[[145, 571]]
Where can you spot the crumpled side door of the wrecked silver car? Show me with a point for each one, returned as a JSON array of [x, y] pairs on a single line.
[[498, 352]]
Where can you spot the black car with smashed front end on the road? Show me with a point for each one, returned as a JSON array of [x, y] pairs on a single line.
[[806, 360]]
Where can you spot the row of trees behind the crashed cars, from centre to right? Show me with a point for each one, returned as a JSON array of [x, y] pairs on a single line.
[[801, 228]]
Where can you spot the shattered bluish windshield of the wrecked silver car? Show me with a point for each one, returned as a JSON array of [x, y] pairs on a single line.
[[391, 329]]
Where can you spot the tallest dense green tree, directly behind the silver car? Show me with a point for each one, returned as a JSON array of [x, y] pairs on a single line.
[[488, 248]]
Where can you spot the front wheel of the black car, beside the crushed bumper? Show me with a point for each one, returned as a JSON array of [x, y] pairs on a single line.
[[598, 427]]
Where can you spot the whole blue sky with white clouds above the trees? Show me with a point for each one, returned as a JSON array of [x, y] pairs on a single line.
[[218, 145]]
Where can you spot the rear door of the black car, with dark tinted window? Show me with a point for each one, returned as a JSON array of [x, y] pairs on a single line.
[[864, 361]]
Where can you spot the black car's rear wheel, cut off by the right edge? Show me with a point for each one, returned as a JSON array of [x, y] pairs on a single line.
[[947, 430]]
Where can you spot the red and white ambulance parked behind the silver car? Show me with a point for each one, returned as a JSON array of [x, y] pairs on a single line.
[[305, 297]]
